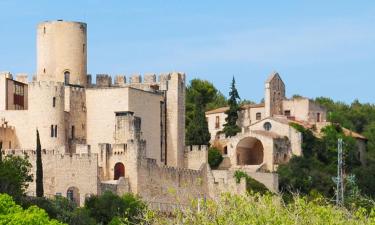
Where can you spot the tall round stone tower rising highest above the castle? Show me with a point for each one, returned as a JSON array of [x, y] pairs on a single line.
[[62, 52]]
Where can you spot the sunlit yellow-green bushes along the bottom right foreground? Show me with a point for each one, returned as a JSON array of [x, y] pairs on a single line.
[[266, 209]]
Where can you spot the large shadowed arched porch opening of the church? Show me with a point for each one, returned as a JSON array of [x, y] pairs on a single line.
[[250, 151]]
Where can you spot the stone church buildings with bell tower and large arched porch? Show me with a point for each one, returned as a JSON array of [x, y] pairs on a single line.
[[267, 138]]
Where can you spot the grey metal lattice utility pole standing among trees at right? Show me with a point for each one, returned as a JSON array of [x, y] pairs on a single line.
[[340, 174]]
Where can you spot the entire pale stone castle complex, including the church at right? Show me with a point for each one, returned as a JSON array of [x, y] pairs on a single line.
[[129, 135]]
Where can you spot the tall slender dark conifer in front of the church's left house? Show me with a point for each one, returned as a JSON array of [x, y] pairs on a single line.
[[230, 127]]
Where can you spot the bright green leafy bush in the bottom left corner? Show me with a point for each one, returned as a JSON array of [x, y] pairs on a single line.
[[11, 213]]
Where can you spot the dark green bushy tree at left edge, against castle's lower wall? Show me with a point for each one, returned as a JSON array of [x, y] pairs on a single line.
[[15, 176]]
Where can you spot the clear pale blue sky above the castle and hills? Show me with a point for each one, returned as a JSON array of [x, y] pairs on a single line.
[[320, 48]]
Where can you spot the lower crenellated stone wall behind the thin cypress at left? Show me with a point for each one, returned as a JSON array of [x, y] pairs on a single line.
[[62, 171]]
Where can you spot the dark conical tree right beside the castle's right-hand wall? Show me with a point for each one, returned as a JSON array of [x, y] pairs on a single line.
[[197, 132]]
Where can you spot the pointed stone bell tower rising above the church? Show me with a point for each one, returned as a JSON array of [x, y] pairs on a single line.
[[274, 96]]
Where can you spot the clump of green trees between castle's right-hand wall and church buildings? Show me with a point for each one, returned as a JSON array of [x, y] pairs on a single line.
[[201, 96]]
